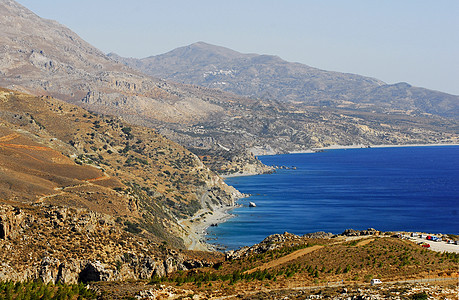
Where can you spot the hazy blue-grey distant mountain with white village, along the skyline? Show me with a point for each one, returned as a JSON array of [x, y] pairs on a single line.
[[270, 77]]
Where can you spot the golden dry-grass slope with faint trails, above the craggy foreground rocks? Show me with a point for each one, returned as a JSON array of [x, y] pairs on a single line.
[[57, 153]]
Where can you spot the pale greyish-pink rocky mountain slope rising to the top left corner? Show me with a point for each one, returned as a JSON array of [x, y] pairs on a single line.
[[45, 58]]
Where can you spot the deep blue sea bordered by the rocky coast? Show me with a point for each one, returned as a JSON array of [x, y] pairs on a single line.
[[390, 189]]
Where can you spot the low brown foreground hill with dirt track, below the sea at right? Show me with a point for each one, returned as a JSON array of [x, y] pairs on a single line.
[[286, 266]]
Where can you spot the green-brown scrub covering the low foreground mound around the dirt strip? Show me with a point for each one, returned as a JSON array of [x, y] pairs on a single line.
[[384, 257]]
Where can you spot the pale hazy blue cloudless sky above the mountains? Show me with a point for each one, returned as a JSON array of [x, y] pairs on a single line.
[[416, 41]]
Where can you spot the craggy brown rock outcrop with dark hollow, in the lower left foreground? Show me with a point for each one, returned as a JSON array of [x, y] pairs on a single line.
[[57, 244]]
